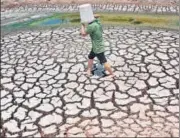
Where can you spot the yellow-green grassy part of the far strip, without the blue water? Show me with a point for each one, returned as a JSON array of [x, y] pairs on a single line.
[[144, 20]]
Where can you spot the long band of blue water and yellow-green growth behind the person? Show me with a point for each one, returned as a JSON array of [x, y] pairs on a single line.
[[117, 19]]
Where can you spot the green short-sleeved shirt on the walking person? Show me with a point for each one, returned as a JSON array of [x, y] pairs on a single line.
[[95, 31]]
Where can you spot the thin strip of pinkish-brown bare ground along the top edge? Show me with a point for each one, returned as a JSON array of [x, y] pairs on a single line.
[[13, 3]]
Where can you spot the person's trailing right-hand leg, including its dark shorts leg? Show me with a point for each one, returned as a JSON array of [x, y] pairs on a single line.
[[103, 61]]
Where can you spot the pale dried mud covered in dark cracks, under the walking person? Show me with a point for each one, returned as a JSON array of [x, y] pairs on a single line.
[[43, 89]]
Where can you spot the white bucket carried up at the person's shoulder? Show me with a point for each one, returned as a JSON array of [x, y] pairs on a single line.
[[86, 13]]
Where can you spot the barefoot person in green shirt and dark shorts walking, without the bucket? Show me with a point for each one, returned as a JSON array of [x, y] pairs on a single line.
[[94, 29]]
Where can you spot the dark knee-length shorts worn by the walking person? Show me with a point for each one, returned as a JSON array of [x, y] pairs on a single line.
[[101, 57]]
